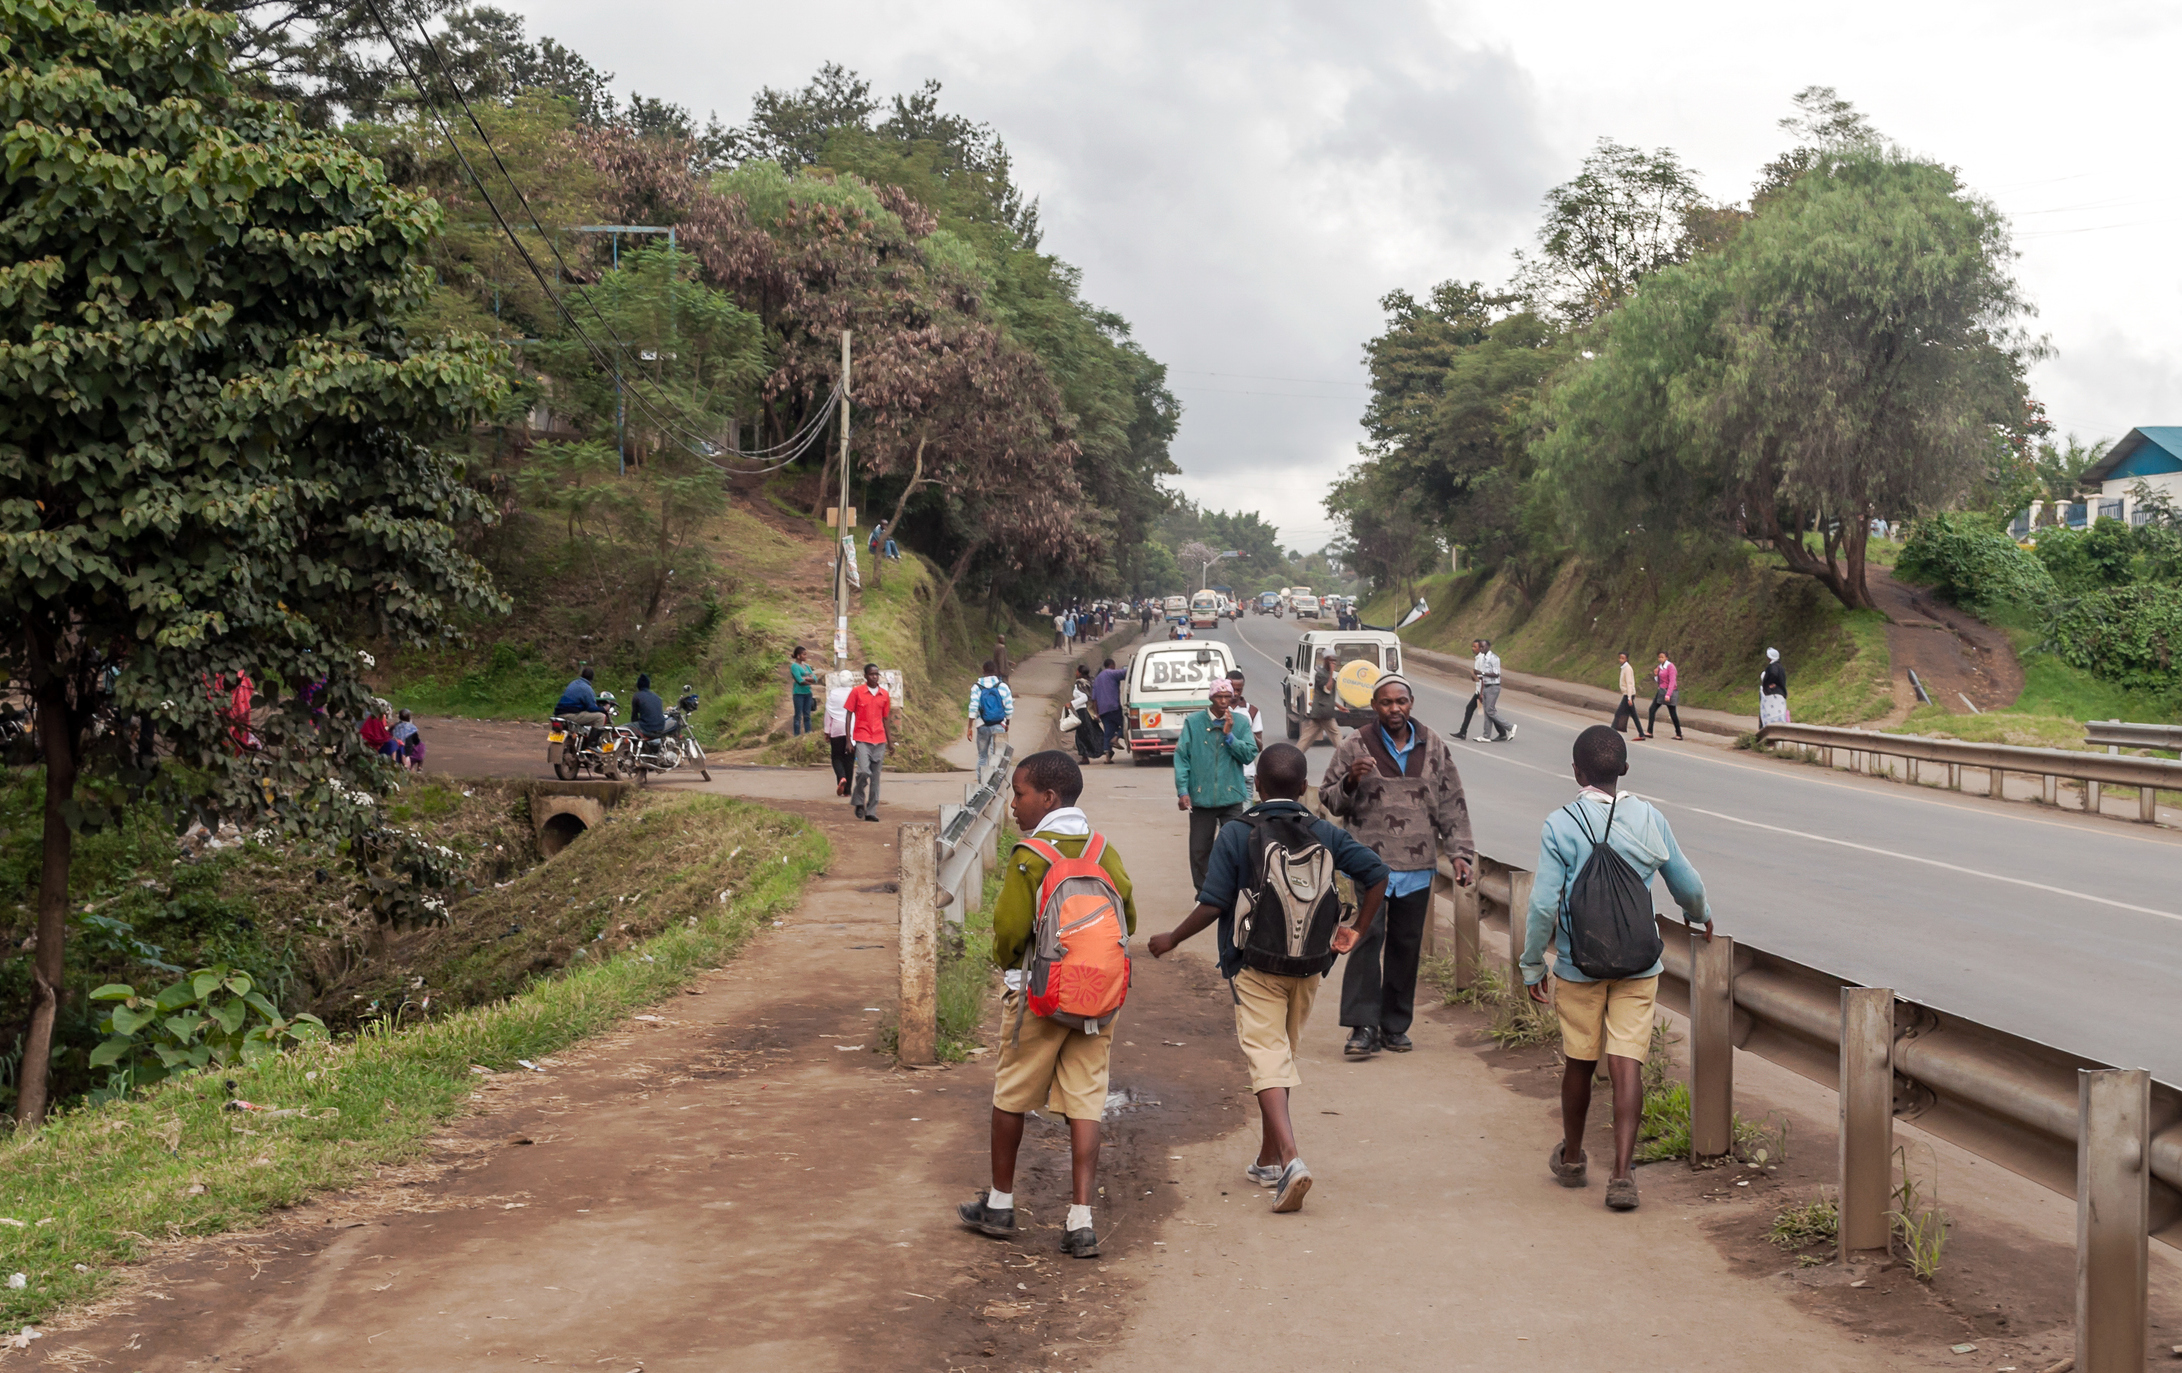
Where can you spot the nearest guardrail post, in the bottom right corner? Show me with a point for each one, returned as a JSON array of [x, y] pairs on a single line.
[[2113, 1204]]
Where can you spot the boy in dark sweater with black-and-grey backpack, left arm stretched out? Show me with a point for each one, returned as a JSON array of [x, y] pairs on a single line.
[[1271, 1010]]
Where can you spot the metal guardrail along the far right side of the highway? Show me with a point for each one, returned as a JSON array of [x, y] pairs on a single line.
[[1869, 752]]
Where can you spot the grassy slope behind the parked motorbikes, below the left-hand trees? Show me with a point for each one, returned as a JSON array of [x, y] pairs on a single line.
[[750, 586]]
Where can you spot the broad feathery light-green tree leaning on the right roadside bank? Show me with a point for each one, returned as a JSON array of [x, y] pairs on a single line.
[[1851, 353]]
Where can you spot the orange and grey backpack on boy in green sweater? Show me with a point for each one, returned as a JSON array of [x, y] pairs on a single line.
[[1077, 962]]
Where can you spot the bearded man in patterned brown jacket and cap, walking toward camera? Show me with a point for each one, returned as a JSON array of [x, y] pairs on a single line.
[[1398, 789]]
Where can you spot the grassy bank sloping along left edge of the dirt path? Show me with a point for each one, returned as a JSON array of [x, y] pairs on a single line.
[[99, 1186]]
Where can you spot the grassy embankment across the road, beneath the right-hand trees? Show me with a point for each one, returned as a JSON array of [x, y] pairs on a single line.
[[1714, 623]]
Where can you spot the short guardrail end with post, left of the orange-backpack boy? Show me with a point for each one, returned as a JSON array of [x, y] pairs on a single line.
[[944, 876]]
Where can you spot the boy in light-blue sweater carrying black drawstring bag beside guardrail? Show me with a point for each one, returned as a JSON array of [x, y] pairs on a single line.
[[1603, 1016]]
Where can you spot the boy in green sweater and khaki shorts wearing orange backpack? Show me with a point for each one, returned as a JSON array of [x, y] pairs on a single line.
[[1062, 935]]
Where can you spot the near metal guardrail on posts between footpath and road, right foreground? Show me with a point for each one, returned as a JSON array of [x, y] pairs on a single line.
[[2111, 1138]]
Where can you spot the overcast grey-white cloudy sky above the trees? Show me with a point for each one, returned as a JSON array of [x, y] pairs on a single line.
[[1245, 182]]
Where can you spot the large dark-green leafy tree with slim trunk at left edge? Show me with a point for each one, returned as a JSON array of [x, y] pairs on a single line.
[[213, 433]]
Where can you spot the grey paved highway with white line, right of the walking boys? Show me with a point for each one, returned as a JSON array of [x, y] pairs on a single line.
[[2046, 924]]
